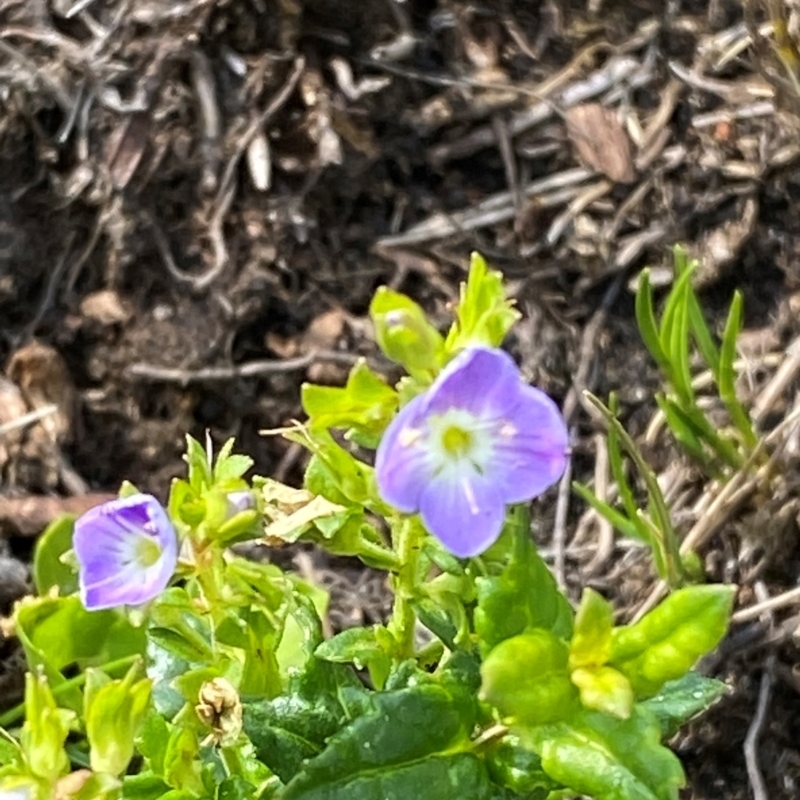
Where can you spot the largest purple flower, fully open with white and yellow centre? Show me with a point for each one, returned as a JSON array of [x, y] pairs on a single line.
[[478, 439]]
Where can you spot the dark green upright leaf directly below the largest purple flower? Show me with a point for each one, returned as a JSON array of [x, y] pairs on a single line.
[[524, 595]]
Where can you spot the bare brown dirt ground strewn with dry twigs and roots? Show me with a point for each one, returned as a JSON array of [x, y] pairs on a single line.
[[198, 199]]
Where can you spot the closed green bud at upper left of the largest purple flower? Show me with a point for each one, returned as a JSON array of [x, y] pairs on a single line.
[[404, 334]]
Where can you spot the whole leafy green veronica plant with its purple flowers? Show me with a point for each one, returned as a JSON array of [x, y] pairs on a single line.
[[162, 665]]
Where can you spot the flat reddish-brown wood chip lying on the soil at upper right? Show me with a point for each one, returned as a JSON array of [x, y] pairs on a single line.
[[601, 140]]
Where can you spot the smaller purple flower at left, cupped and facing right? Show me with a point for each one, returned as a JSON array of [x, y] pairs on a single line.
[[127, 550]]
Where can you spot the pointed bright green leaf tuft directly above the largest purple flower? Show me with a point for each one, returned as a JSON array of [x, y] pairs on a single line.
[[484, 316]]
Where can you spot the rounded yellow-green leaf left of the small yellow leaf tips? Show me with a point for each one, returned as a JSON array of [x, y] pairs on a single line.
[[527, 679]]
